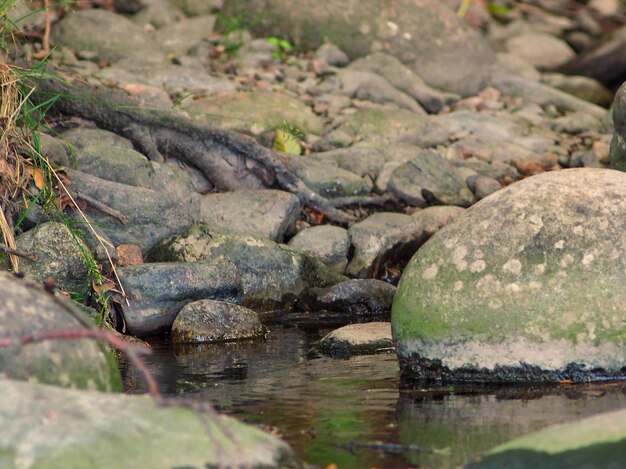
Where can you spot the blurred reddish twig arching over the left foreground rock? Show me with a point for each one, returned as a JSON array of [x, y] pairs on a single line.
[[132, 351]]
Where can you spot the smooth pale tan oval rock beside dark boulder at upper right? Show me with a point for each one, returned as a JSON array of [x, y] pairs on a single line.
[[541, 50]]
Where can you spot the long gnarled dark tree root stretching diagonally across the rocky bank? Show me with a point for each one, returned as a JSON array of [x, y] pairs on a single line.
[[230, 160]]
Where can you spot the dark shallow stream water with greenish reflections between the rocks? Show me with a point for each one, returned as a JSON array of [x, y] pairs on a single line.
[[337, 411]]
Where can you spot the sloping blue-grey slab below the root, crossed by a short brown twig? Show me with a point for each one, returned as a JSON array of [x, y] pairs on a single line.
[[150, 215]]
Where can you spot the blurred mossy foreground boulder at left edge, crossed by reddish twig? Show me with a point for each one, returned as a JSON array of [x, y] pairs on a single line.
[[28, 309]]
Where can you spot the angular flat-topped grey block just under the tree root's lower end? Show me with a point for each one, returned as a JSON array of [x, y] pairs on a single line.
[[266, 213]]
